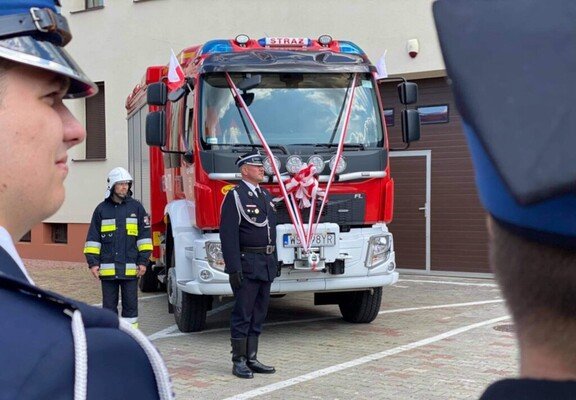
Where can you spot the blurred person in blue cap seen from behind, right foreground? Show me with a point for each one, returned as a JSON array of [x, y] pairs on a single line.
[[512, 66]]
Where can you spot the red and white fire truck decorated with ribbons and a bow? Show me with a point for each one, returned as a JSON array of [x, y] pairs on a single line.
[[313, 109]]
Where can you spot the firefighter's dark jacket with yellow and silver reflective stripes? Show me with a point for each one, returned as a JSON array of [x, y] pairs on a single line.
[[118, 238]]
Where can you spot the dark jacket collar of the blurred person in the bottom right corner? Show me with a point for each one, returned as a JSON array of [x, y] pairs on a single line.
[[530, 389]]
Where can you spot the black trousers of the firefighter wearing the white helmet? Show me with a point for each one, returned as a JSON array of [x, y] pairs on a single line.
[[111, 292]]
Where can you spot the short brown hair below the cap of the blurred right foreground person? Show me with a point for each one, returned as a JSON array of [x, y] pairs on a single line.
[[538, 282]]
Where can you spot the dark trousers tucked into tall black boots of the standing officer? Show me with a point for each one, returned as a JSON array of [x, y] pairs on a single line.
[[250, 308]]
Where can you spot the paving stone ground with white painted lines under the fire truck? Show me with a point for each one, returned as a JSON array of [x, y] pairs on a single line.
[[435, 338]]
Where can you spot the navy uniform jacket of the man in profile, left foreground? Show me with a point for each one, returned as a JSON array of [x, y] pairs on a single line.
[[37, 346]]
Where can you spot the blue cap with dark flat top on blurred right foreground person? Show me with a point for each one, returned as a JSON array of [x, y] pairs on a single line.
[[512, 72]]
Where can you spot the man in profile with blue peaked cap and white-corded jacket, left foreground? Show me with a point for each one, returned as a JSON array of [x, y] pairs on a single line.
[[52, 347]]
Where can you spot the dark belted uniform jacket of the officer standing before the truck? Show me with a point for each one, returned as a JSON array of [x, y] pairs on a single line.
[[236, 233]]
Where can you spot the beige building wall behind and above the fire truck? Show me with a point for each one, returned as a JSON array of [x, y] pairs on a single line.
[[114, 44]]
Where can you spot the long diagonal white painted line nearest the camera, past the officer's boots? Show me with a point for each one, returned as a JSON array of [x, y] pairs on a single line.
[[362, 360]]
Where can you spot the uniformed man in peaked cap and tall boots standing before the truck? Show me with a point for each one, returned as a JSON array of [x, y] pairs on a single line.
[[248, 236]]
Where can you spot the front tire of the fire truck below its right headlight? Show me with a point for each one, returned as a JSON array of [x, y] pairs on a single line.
[[361, 307]]
